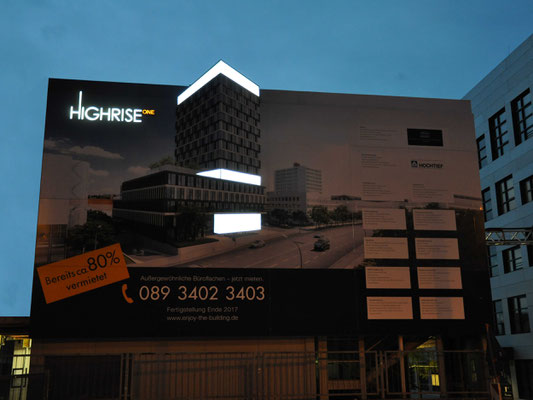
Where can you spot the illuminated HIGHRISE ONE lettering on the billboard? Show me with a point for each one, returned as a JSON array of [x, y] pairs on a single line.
[[110, 114]]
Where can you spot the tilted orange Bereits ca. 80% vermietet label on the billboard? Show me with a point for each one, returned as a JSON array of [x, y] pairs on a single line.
[[82, 273]]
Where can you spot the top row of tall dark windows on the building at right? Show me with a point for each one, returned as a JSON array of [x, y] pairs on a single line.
[[522, 116]]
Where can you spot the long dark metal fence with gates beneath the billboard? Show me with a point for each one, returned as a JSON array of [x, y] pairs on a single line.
[[320, 375]]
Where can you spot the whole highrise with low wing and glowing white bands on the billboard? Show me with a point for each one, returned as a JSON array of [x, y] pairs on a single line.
[[217, 157]]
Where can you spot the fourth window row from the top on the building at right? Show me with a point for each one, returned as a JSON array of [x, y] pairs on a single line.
[[518, 315]]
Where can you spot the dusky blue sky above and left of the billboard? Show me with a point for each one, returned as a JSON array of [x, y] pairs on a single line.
[[421, 48]]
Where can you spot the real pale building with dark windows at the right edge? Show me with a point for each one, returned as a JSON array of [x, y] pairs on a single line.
[[503, 112]]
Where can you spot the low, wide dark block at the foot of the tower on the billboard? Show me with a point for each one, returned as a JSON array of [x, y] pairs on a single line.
[[157, 200]]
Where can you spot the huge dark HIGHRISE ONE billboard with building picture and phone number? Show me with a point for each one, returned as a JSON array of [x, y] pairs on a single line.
[[234, 214]]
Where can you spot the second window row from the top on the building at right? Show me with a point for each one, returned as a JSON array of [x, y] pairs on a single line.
[[505, 196]]
